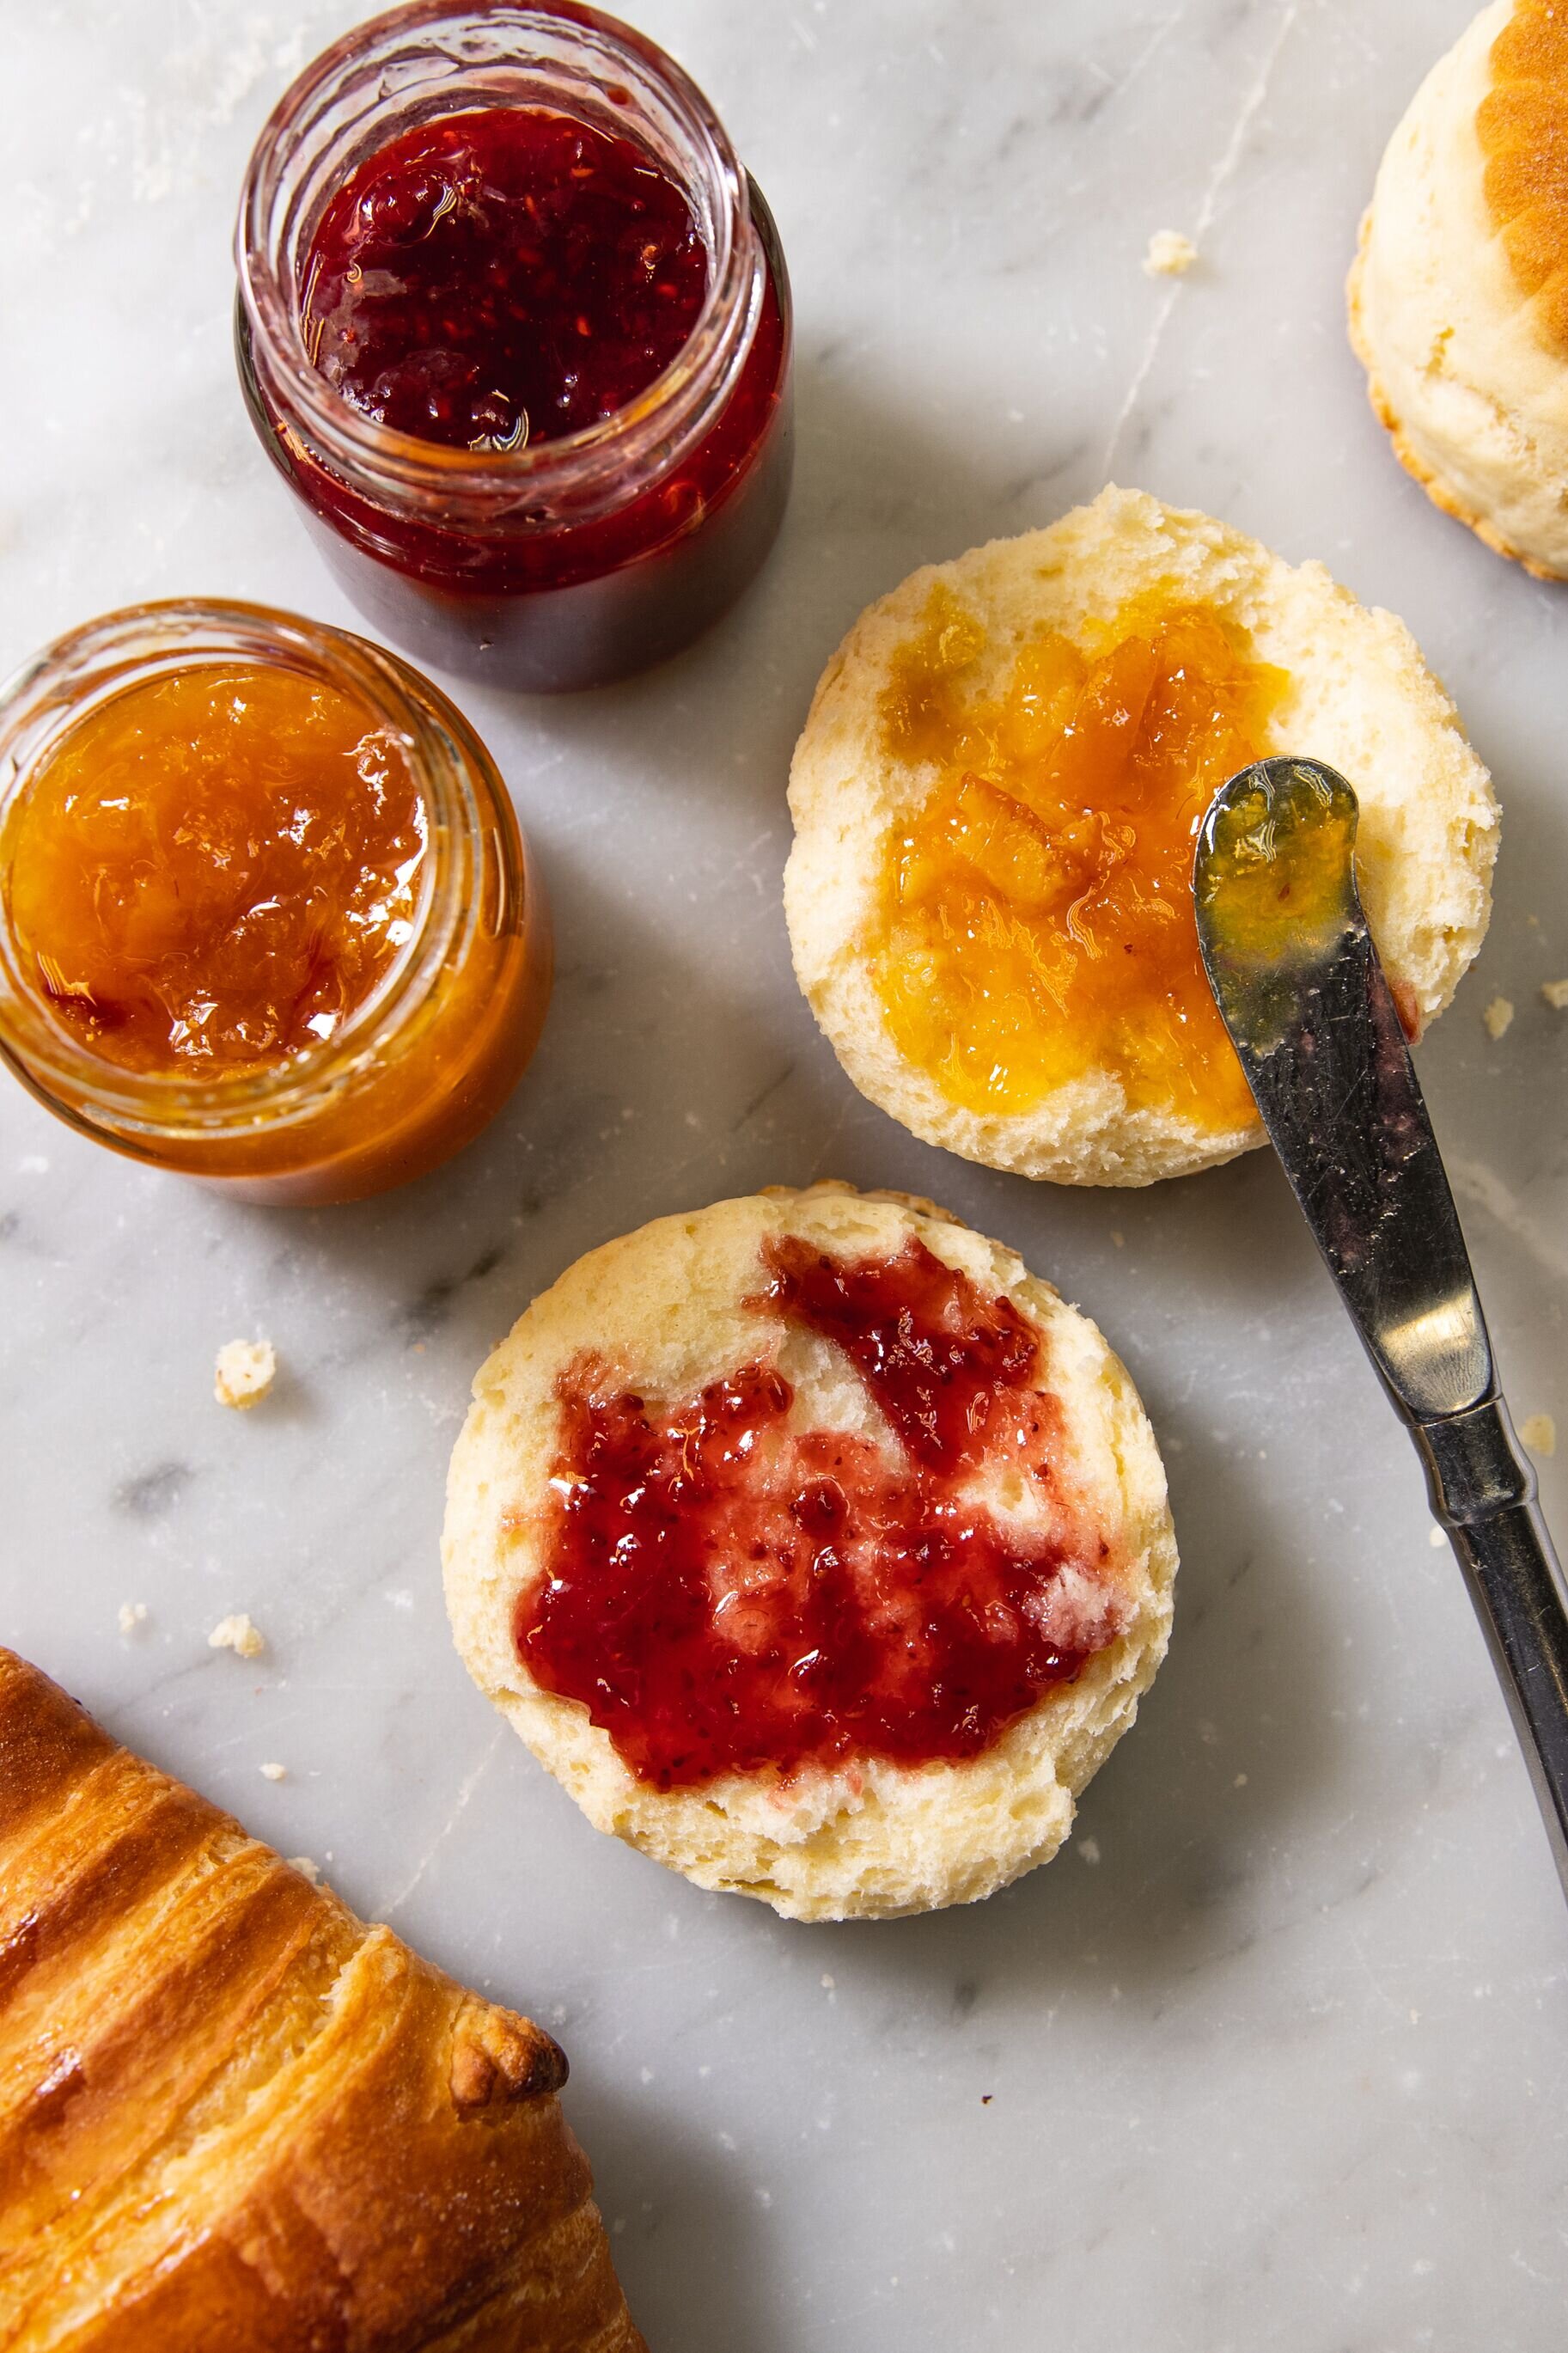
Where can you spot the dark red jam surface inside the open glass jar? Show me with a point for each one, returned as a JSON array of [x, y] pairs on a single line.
[[502, 276]]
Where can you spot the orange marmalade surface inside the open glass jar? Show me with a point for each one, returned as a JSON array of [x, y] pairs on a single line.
[[215, 869]]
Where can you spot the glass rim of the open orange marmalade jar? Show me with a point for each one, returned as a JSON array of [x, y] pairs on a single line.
[[128, 648]]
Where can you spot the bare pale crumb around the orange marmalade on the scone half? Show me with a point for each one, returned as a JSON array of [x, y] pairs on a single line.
[[1360, 698]]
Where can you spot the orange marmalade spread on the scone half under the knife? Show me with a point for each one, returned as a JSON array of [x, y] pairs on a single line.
[[1038, 912]]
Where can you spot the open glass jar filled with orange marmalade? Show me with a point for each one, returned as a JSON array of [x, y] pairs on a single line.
[[264, 907]]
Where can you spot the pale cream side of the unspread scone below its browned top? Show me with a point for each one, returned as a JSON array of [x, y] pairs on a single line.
[[1461, 373]]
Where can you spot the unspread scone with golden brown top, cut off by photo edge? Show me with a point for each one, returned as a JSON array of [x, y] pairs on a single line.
[[1459, 298]]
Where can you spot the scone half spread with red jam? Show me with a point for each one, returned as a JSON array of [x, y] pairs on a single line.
[[817, 1547]]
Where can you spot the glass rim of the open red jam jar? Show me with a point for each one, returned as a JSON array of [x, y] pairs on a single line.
[[431, 60]]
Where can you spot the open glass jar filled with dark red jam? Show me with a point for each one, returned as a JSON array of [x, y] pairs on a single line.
[[516, 328]]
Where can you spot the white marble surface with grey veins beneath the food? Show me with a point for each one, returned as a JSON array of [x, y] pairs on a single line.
[[1275, 2053]]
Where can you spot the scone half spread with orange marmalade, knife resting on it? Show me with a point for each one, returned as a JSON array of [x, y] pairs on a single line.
[[996, 811]]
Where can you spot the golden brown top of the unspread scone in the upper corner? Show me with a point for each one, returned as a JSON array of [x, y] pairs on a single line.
[[1525, 135]]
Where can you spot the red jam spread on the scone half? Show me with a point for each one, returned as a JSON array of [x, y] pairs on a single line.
[[730, 1592]]
